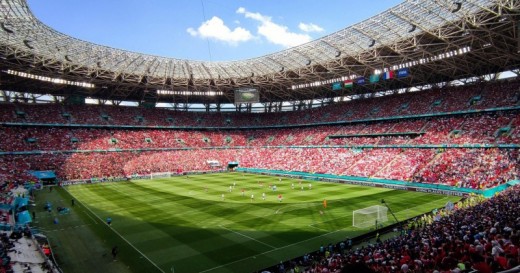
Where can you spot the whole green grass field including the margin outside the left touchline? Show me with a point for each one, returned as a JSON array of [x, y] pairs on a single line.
[[184, 225]]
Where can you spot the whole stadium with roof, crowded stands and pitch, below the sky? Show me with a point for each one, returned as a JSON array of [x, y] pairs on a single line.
[[392, 145]]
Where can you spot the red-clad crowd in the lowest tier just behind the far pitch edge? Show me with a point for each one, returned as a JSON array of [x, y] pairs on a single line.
[[470, 168]]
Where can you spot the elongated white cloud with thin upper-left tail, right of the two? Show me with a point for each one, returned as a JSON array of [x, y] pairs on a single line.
[[275, 33]]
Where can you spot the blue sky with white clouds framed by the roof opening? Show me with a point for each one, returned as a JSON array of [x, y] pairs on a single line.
[[210, 30]]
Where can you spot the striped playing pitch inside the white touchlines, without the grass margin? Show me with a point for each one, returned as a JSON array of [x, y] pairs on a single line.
[[180, 221]]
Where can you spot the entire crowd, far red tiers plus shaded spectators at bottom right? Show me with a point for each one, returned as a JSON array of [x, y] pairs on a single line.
[[445, 244]]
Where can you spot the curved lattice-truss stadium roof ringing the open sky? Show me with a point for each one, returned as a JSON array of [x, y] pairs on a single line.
[[439, 40]]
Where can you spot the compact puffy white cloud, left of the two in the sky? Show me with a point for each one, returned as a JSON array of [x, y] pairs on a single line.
[[215, 28]]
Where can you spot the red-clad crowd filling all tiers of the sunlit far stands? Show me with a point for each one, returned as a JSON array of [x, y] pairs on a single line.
[[81, 153]]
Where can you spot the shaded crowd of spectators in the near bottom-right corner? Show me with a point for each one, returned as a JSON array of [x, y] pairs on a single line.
[[478, 235]]
